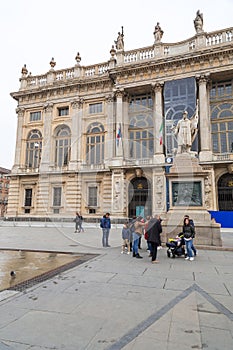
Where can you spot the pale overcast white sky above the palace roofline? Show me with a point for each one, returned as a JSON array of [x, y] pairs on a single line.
[[34, 31]]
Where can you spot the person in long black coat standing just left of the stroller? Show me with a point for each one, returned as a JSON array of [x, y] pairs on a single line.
[[154, 230]]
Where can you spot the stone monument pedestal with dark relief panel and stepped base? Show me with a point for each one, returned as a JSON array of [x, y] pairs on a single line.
[[187, 197]]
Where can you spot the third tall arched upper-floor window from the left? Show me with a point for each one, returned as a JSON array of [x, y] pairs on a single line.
[[95, 144]]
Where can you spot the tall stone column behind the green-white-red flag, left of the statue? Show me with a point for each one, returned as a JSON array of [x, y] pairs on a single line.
[[158, 123]]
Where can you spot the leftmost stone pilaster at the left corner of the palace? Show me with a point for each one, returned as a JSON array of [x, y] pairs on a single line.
[[18, 146]]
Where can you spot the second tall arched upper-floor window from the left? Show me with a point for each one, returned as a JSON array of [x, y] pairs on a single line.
[[62, 146]]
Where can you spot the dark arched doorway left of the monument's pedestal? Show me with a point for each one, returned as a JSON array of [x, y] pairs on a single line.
[[139, 195]]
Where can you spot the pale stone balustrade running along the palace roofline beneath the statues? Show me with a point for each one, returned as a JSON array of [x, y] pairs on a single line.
[[157, 51]]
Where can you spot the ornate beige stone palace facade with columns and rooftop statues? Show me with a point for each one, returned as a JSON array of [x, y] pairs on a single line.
[[99, 138]]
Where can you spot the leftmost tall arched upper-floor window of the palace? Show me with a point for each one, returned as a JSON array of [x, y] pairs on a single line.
[[33, 149]]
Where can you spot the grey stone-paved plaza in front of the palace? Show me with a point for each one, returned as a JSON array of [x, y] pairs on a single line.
[[113, 301]]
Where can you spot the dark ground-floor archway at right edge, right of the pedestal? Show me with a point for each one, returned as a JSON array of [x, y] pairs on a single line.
[[225, 192]]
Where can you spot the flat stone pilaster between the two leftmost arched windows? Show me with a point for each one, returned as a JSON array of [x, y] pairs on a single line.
[[46, 156]]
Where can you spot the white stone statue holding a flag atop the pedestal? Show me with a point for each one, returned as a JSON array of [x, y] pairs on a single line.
[[186, 131]]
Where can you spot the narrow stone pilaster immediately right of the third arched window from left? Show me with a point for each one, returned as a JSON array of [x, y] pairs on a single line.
[[110, 136]]
